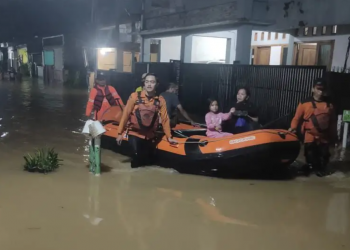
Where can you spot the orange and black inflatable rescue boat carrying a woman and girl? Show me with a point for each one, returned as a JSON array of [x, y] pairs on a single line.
[[250, 150]]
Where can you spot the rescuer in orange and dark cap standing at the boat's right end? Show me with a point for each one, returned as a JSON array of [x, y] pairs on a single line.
[[318, 126]]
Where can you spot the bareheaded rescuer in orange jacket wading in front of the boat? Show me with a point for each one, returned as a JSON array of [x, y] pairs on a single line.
[[140, 122]]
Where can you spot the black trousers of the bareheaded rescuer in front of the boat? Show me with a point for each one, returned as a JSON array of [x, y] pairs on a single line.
[[142, 151]]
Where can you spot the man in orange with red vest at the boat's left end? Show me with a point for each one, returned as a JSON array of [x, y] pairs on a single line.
[[102, 97]]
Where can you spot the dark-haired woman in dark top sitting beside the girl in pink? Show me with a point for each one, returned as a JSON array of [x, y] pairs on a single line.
[[245, 117]]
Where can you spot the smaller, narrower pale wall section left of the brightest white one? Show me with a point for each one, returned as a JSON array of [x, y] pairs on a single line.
[[170, 48]]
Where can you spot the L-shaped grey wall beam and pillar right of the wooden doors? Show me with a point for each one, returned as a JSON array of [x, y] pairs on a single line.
[[340, 46]]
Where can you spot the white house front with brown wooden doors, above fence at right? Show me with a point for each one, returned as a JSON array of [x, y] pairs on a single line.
[[309, 46]]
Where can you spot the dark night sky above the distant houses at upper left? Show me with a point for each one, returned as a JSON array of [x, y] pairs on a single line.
[[23, 19]]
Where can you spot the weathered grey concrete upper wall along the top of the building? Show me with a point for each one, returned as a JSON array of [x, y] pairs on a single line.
[[167, 14]]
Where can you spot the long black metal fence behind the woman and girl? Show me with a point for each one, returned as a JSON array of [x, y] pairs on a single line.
[[275, 90]]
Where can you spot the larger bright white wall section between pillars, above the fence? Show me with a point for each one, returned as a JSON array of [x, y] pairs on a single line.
[[208, 49]]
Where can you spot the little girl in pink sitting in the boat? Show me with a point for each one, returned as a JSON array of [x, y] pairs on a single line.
[[214, 120]]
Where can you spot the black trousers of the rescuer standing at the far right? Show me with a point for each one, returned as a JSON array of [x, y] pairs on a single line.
[[317, 155]]
